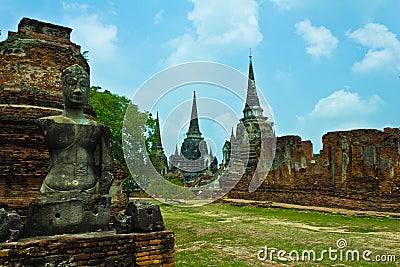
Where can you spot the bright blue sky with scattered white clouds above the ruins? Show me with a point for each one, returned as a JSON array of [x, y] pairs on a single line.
[[321, 65]]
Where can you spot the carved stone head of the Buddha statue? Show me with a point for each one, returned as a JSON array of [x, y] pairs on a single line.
[[75, 87]]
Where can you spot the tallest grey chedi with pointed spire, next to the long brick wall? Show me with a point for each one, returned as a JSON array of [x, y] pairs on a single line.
[[252, 147]]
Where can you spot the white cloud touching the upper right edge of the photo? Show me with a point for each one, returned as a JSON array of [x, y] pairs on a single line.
[[383, 48]]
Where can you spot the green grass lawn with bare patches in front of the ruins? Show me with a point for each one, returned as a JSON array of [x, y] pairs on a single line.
[[225, 235]]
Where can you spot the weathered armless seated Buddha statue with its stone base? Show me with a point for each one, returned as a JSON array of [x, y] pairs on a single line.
[[74, 195]]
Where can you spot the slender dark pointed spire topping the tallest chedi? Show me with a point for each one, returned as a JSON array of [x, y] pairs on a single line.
[[252, 106]]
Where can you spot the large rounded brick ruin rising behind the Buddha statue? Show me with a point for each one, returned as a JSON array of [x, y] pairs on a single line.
[[31, 62]]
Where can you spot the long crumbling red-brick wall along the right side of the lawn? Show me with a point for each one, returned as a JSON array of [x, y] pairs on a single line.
[[357, 169]]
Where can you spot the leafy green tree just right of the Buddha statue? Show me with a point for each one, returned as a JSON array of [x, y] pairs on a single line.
[[124, 119]]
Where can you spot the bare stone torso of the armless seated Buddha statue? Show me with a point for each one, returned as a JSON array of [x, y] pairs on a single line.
[[74, 152]]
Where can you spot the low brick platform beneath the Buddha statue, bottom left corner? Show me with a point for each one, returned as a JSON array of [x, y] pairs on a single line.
[[92, 249]]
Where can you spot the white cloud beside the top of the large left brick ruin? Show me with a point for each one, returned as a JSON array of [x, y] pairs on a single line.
[[94, 36]]
